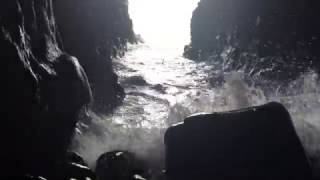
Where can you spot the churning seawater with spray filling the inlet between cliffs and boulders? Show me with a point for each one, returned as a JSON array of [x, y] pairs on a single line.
[[139, 124]]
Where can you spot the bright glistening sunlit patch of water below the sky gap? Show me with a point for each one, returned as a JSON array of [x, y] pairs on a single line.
[[169, 78]]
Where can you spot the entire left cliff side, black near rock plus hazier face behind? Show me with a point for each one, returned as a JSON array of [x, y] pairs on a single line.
[[46, 87]]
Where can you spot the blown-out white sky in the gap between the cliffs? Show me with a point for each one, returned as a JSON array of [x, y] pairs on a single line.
[[163, 23]]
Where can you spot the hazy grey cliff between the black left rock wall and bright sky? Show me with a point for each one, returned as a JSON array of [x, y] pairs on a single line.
[[94, 31]]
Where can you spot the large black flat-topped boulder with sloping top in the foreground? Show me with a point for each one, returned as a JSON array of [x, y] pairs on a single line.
[[255, 143]]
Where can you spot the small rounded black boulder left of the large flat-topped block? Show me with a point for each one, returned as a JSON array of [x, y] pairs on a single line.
[[119, 165]]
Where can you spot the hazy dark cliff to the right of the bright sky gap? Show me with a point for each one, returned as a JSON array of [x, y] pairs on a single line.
[[270, 27]]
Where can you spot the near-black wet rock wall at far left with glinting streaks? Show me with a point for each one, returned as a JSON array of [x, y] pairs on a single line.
[[46, 88]]
